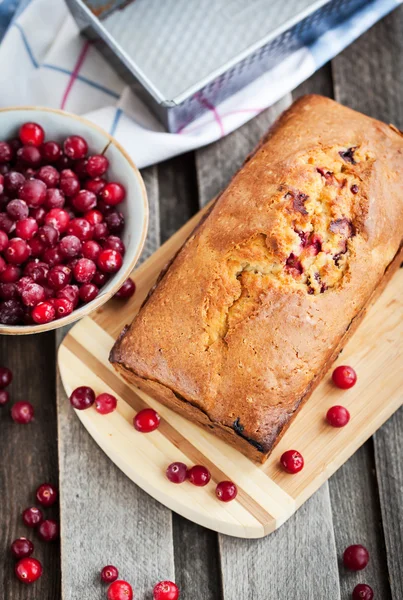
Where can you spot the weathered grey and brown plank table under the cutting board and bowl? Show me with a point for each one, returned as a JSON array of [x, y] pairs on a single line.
[[105, 518]]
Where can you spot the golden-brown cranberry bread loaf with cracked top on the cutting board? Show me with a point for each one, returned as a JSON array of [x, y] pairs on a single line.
[[263, 295]]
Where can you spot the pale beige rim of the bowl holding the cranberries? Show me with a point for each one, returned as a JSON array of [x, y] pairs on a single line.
[[86, 309]]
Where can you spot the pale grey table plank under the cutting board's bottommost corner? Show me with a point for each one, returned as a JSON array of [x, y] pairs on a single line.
[[255, 569]]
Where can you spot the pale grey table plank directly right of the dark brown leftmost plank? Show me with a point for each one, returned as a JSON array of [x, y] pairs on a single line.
[[105, 518]]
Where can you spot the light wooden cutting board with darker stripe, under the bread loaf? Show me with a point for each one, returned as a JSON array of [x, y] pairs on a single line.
[[267, 496]]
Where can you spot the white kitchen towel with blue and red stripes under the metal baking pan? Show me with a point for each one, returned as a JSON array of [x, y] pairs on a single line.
[[44, 61]]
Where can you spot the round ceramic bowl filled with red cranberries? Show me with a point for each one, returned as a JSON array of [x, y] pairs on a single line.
[[73, 218]]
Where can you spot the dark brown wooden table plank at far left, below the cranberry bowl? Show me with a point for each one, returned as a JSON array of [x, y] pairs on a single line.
[[28, 458]]
